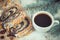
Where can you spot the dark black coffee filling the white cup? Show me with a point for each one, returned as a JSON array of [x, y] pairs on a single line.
[[42, 20]]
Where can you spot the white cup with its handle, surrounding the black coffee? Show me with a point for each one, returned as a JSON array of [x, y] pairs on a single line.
[[44, 29]]
